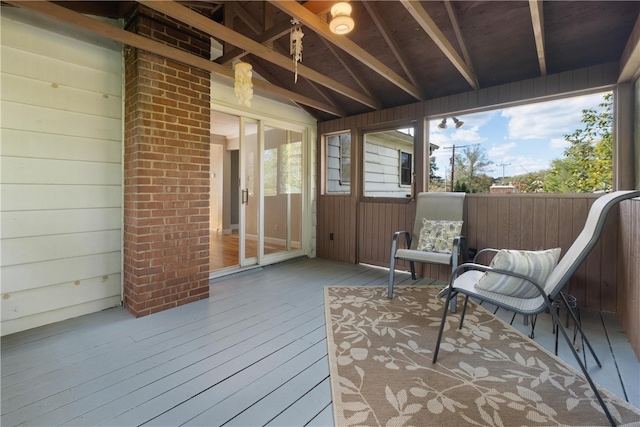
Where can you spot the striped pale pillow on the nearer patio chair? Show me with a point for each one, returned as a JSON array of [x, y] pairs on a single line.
[[535, 264]]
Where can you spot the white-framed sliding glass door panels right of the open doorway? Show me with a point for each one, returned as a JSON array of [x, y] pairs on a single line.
[[272, 186]]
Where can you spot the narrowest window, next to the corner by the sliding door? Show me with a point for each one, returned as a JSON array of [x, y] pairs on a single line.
[[338, 163]]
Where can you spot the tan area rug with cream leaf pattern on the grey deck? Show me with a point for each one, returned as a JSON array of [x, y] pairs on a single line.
[[488, 373]]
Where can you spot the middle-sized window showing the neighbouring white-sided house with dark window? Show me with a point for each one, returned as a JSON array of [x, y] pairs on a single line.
[[388, 163]]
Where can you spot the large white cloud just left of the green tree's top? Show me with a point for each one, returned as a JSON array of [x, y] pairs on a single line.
[[548, 120]]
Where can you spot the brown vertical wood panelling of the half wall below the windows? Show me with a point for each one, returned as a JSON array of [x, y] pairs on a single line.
[[360, 231]]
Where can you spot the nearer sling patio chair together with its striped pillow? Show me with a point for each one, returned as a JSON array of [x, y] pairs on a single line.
[[527, 282]]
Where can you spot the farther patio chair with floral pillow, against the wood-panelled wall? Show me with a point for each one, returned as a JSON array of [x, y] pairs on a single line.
[[436, 235]]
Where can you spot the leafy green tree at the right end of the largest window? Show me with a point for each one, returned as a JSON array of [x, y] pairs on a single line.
[[587, 165]]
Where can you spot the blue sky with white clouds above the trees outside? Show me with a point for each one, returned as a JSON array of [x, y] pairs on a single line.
[[523, 139]]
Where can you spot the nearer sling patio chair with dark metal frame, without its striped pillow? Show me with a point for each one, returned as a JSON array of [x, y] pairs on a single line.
[[466, 277]]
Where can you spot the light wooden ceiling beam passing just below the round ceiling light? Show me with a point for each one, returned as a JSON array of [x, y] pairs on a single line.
[[321, 28]]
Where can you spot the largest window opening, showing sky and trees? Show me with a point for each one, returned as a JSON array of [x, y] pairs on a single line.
[[557, 146]]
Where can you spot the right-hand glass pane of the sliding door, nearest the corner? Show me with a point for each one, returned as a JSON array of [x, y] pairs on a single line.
[[283, 184]]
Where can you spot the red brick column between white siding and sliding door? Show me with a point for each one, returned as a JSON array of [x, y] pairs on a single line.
[[166, 178]]
